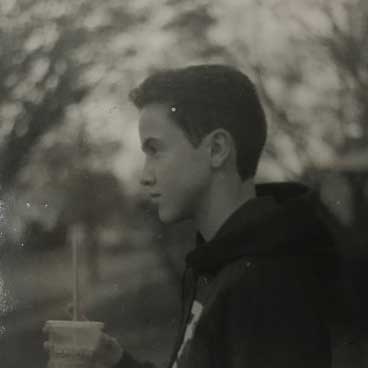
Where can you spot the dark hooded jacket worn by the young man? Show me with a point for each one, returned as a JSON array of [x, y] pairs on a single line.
[[264, 282]]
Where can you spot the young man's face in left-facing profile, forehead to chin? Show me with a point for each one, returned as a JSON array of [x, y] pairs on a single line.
[[176, 174]]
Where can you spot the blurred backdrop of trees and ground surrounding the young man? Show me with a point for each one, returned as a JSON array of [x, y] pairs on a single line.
[[69, 150]]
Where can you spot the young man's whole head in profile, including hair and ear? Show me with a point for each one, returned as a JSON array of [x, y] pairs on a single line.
[[205, 116]]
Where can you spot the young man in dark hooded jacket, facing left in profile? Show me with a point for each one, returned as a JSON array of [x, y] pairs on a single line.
[[252, 292]]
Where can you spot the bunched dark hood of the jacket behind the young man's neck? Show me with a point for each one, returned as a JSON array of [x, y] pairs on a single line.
[[285, 219]]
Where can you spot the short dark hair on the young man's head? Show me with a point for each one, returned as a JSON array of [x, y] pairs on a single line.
[[203, 98]]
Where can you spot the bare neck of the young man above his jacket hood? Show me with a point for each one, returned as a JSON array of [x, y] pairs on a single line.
[[223, 200]]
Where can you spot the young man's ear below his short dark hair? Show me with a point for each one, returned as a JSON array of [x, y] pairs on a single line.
[[220, 145]]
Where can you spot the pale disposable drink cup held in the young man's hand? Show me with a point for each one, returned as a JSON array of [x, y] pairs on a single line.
[[72, 343]]
